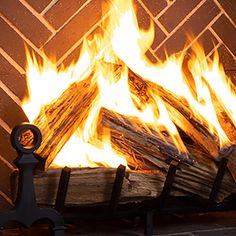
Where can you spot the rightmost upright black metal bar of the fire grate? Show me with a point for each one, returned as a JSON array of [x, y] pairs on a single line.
[[218, 180]]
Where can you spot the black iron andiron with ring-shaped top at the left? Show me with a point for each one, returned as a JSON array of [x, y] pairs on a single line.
[[26, 210]]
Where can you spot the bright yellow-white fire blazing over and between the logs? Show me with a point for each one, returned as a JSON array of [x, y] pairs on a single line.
[[208, 92]]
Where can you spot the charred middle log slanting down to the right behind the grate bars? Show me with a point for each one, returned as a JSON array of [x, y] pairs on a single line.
[[156, 154]]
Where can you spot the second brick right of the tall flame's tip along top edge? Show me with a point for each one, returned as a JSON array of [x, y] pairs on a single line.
[[176, 13]]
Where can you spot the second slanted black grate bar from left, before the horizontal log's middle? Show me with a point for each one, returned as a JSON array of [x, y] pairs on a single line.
[[117, 186]]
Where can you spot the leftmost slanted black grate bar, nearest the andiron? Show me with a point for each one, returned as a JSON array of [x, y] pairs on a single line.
[[62, 189]]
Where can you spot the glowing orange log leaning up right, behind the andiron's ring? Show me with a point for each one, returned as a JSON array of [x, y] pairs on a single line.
[[60, 119]]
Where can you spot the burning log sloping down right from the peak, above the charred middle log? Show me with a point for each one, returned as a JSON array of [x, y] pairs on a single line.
[[180, 113]]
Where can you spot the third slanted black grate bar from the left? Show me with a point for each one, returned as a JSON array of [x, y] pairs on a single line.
[[167, 185]]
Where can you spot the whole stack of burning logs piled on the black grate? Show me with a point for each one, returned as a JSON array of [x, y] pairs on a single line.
[[148, 155]]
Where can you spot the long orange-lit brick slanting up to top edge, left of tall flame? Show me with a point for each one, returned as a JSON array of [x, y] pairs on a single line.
[[74, 30]]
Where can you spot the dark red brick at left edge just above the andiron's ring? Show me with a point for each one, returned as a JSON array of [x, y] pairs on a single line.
[[10, 112]]
